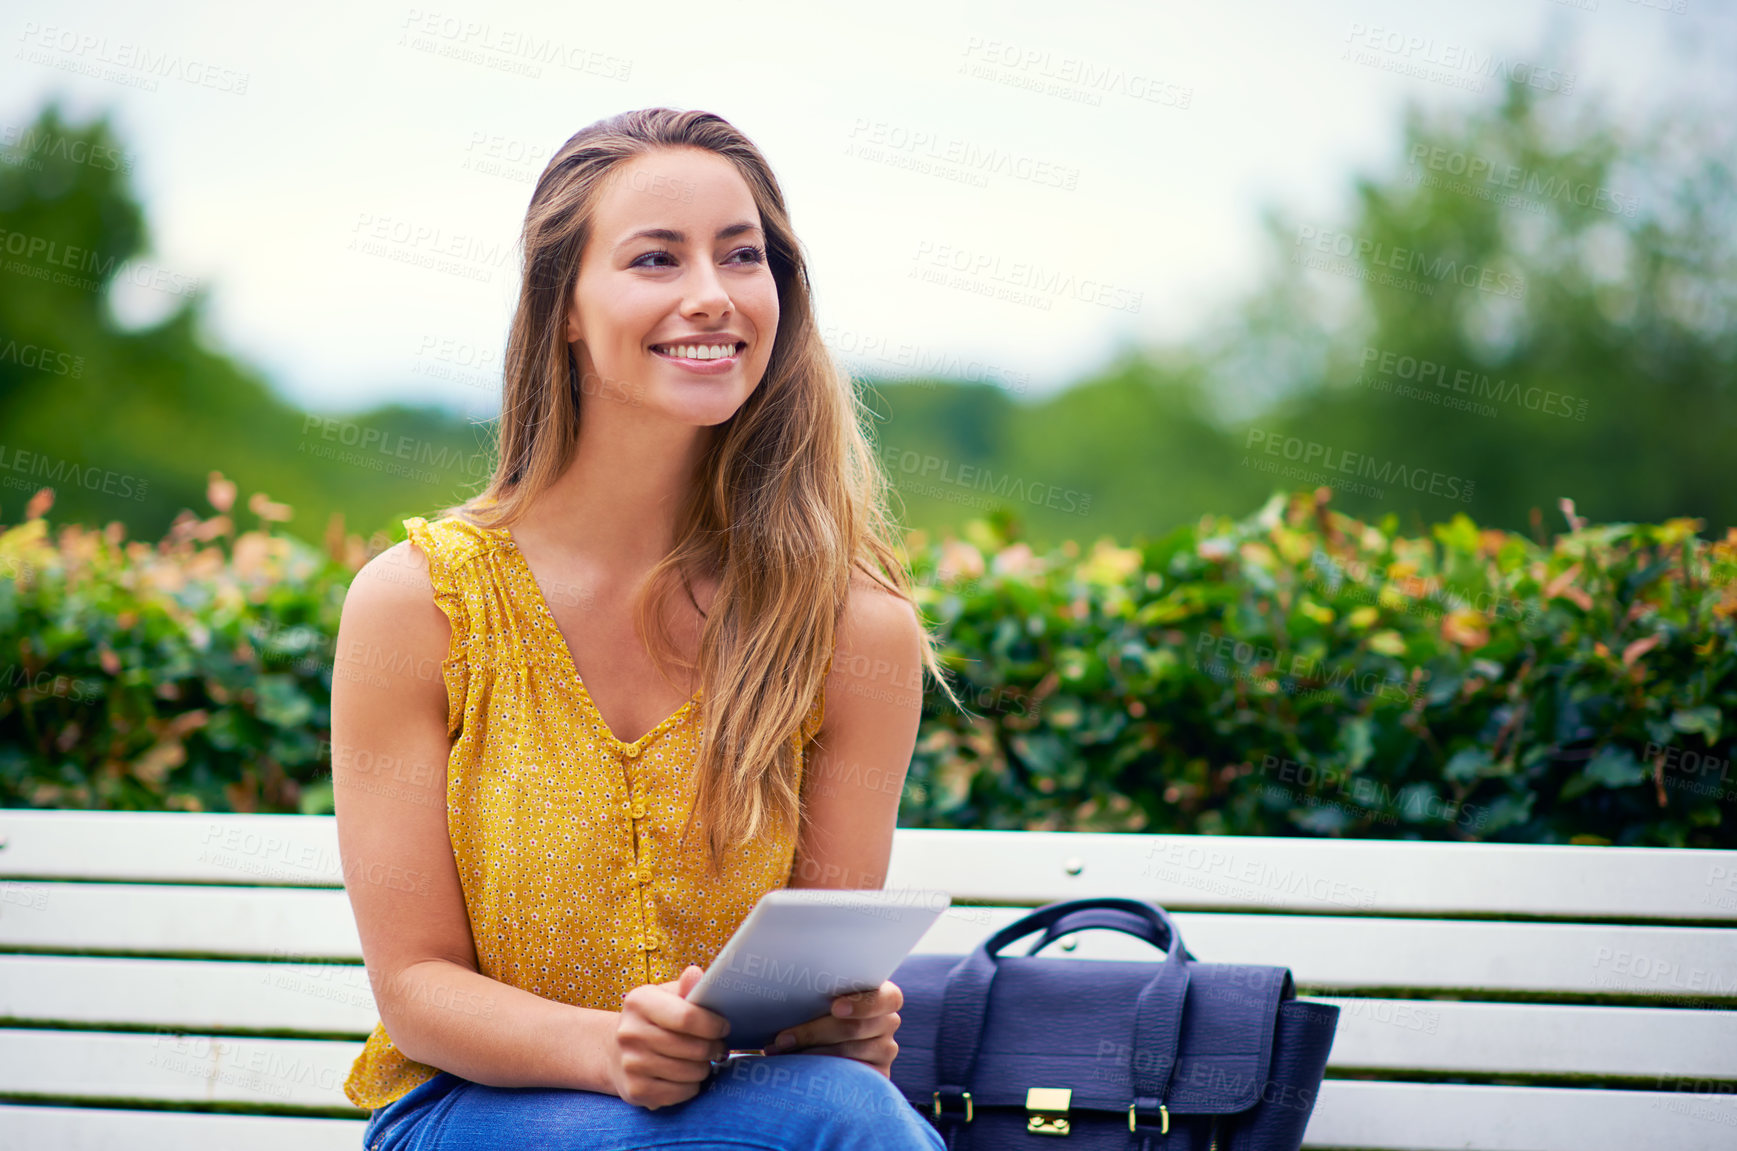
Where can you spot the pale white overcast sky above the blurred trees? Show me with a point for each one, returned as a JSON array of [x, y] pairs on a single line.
[[1121, 150]]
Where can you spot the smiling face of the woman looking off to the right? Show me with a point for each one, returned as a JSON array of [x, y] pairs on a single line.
[[677, 258]]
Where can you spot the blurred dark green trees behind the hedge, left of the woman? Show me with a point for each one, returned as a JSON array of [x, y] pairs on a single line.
[[128, 424]]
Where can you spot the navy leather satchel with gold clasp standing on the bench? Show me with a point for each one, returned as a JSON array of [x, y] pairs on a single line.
[[1053, 1055]]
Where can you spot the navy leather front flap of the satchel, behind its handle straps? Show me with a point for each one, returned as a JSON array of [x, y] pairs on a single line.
[[1071, 1023]]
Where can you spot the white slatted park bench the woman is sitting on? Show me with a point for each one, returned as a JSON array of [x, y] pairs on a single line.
[[188, 982]]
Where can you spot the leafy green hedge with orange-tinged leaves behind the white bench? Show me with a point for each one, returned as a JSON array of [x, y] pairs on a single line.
[[1295, 673]]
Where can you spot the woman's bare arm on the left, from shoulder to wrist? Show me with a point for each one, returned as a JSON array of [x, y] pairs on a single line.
[[390, 754]]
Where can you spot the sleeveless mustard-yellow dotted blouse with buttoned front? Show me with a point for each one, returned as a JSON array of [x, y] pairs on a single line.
[[565, 836]]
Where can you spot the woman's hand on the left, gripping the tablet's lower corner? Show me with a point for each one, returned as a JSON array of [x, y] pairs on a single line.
[[664, 1046]]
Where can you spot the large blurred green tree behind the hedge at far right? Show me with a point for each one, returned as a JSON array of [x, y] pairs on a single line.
[[1561, 320]]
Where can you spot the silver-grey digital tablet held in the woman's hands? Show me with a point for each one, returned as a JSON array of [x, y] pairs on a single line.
[[802, 947]]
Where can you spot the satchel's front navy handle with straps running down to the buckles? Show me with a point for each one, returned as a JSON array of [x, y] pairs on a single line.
[[1158, 1011]]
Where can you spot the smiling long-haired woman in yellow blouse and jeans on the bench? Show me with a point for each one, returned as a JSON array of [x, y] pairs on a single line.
[[657, 669]]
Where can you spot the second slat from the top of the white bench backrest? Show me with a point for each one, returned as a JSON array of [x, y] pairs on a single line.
[[1668, 964]]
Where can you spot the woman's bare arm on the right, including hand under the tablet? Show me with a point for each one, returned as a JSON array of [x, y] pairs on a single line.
[[854, 780]]
